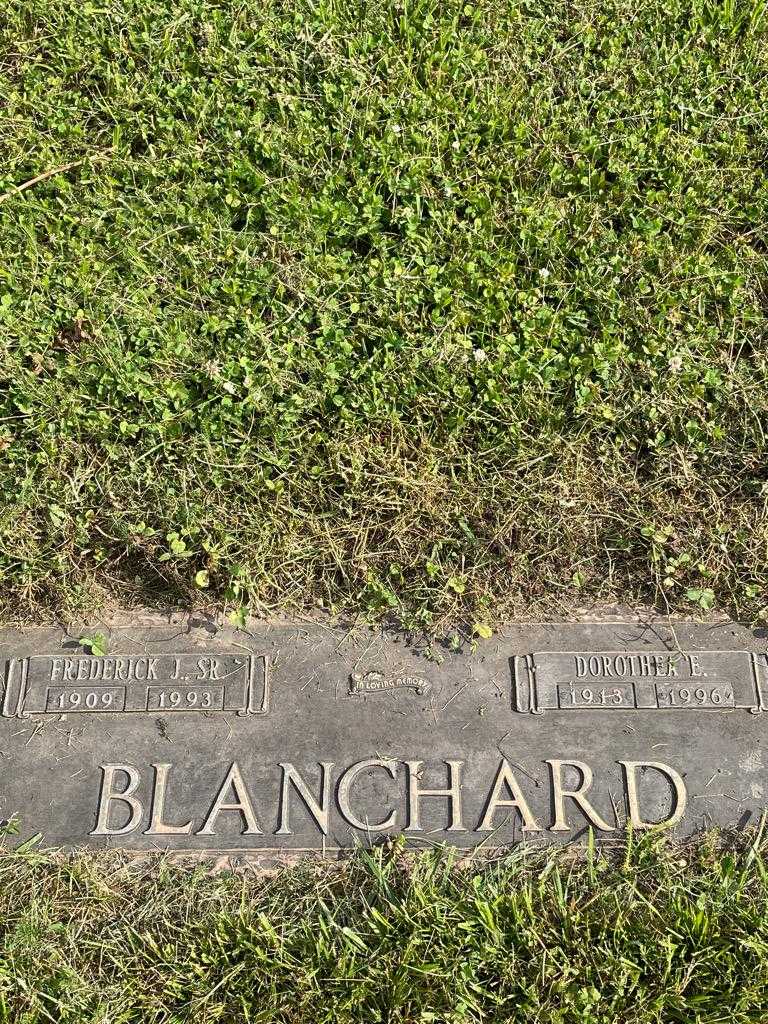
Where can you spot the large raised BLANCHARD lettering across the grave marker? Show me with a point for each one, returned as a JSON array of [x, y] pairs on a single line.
[[144, 800]]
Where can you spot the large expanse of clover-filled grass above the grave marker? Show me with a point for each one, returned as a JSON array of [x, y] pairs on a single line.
[[437, 310]]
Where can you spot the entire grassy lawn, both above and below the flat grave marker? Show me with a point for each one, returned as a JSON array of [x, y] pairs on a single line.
[[447, 313]]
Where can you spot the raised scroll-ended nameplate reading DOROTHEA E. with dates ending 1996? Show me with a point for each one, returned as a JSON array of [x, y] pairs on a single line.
[[714, 680]]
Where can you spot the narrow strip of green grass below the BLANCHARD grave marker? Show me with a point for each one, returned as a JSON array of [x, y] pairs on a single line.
[[661, 934]]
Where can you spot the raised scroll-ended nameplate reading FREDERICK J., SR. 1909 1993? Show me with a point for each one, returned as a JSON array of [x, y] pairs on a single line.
[[137, 684]]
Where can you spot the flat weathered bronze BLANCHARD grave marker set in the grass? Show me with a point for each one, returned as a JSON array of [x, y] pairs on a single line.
[[304, 738]]
